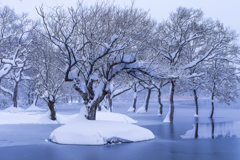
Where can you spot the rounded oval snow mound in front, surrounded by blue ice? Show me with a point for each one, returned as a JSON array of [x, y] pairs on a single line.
[[99, 133]]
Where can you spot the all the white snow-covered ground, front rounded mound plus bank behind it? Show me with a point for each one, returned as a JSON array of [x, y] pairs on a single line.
[[108, 127]]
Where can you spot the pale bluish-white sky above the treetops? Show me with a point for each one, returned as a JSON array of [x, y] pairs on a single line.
[[227, 11]]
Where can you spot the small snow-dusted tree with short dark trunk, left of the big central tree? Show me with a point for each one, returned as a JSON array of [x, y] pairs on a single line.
[[48, 80]]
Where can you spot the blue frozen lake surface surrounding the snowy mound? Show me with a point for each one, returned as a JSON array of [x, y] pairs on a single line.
[[216, 139]]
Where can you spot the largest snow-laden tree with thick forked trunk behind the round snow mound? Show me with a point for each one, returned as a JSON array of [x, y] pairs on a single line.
[[96, 43]]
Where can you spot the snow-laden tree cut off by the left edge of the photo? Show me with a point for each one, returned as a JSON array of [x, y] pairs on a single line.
[[14, 49]]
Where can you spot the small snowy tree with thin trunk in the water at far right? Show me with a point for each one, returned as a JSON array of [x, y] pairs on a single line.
[[222, 81]]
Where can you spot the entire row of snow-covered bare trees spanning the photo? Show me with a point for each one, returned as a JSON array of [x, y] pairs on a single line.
[[104, 50]]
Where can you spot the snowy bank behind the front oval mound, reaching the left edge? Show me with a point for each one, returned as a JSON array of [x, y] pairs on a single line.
[[19, 116]]
